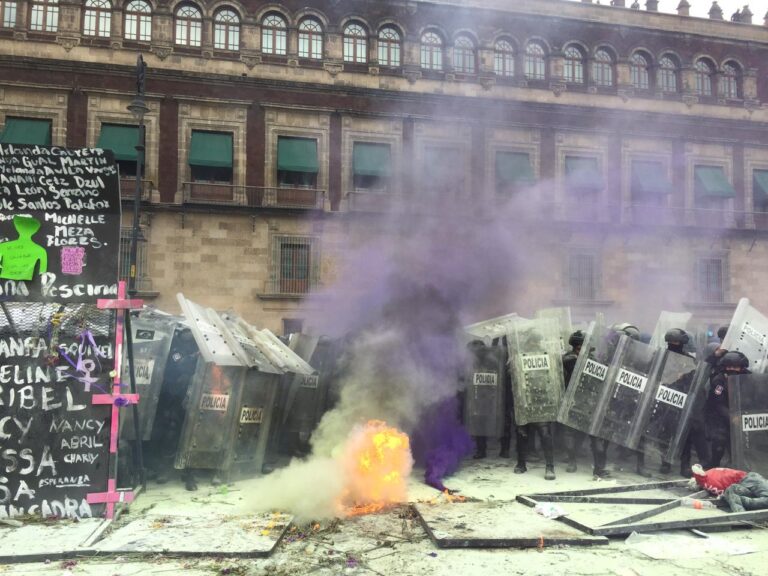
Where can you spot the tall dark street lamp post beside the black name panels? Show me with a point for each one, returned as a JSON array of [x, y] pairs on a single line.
[[138, 108]]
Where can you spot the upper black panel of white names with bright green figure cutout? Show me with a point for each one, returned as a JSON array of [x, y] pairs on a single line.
[[59, 224]]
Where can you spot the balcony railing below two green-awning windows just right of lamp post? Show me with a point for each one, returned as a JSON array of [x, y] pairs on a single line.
[[253, 196]]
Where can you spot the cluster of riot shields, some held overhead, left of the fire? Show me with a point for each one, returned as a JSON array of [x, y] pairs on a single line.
[[219, 394]]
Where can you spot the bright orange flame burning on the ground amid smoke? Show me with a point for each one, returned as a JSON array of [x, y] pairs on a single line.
[[377, 461]]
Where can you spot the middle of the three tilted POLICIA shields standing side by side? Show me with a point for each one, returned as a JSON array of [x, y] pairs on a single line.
[[619, 415]]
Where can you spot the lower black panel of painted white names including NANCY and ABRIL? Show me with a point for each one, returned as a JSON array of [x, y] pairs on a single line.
[[54, 442]]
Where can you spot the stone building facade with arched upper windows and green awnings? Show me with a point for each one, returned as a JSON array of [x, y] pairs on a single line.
[[634, 143]]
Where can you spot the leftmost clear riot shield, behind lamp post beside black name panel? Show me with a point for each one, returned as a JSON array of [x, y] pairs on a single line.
[[152, 335]]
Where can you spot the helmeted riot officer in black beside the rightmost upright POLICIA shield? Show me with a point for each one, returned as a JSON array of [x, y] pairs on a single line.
[[716, 409]]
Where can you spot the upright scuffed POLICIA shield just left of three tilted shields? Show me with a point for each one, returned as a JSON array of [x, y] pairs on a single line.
[[537, 369]]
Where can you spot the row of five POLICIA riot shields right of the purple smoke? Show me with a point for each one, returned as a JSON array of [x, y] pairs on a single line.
[[628, 392]]
